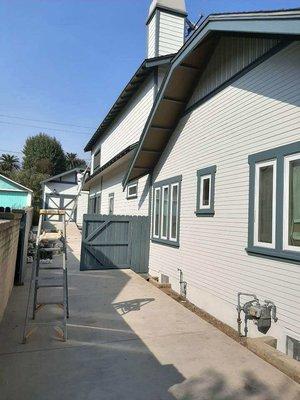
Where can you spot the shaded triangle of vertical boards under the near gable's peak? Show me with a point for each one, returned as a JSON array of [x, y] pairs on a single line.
[[231, 55]]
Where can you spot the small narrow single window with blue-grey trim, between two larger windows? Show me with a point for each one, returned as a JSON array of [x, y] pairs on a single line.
[[205, 191]]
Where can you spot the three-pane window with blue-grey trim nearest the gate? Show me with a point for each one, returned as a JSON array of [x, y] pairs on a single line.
[[166, 210]]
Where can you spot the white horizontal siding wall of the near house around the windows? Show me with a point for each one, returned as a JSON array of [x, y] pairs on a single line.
[[260, 111]]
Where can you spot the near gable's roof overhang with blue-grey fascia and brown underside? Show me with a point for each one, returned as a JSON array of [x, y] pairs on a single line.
[[186, 68]]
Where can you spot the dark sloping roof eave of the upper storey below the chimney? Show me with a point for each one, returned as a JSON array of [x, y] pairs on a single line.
[[139, 77]]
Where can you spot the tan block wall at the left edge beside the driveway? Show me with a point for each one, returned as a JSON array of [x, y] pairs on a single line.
[[9, 235]]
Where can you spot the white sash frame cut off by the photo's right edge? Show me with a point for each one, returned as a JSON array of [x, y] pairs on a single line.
[[286, 197]]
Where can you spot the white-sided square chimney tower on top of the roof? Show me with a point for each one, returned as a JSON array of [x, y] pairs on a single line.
[[166, 27]]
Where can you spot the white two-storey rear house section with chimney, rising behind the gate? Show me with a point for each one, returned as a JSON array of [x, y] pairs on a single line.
[[113, 143]]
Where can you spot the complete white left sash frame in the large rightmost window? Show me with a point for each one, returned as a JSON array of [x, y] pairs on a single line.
[[259, 165]]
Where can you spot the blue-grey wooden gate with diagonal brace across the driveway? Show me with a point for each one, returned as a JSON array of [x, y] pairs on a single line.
[[115, 241]]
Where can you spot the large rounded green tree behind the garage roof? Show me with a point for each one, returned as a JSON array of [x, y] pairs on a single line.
[[44, 154]]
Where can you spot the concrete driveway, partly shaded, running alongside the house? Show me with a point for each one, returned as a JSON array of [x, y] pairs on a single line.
[[129, 341]]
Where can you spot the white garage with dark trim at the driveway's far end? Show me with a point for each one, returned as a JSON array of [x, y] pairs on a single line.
[[60, 191]]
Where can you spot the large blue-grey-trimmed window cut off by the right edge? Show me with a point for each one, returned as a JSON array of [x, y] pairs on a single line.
[[274, 203]]
